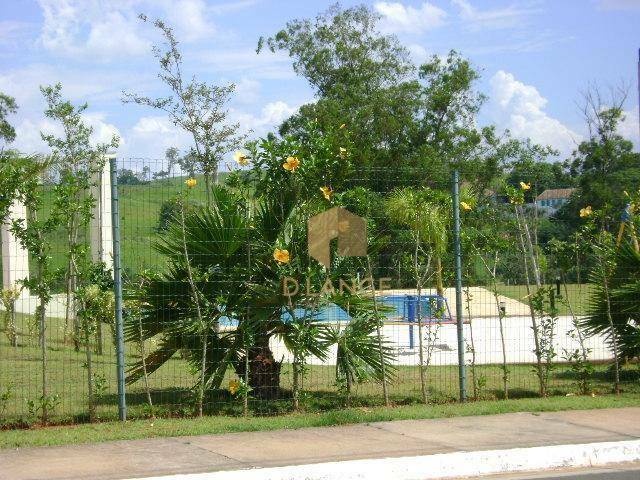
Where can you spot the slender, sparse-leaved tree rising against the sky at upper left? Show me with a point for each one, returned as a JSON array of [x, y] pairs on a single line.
[[195, 106]]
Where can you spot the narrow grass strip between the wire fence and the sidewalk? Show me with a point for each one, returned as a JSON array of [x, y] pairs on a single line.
[[161, 427]]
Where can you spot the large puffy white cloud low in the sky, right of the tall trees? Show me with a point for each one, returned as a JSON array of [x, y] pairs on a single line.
[[521, 109]]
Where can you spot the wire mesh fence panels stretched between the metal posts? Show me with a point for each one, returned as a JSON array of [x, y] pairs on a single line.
[[235, 304]]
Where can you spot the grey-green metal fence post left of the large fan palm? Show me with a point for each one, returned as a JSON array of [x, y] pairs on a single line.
[[117, 288]]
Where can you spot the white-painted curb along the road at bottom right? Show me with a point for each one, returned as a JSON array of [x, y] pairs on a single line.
[[439, 466]]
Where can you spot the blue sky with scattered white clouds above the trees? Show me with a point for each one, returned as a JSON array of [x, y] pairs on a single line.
[[535, 58]]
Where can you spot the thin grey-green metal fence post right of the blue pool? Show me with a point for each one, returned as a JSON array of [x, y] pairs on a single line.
[[462, 374]]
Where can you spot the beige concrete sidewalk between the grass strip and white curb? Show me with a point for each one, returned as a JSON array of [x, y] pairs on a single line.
[[409, 438]]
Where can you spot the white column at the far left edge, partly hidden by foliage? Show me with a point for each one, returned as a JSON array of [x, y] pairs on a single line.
[[15, 258]]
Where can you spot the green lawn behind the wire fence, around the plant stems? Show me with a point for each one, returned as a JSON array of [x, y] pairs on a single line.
[[171, 385]]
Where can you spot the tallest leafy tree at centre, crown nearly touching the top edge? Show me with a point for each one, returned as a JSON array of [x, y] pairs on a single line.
[[361, 79]]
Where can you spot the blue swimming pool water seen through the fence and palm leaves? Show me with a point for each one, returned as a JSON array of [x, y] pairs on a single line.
[[403, 308]]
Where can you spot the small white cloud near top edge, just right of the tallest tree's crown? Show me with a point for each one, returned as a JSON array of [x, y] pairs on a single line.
[[407, 19]]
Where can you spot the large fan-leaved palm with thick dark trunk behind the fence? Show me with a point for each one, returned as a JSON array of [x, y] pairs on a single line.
[[224, 252]]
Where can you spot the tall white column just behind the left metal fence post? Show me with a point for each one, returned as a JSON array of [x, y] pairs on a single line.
[[101, 230]]
